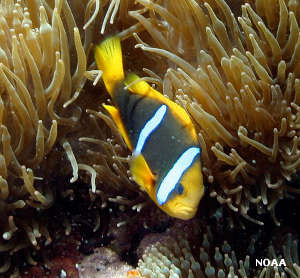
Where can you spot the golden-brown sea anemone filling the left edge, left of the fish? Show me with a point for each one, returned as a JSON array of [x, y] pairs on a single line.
[[38, 83]]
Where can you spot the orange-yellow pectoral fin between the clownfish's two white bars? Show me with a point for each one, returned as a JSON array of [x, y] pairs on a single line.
[[141, 173]]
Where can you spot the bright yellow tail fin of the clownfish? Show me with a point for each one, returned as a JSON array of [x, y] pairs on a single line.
[[108, 56]]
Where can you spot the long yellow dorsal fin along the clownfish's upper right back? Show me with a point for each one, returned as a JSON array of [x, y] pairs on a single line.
[[138, 86]]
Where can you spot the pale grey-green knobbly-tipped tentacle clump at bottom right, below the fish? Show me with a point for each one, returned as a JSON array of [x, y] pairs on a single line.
[[174, 256]]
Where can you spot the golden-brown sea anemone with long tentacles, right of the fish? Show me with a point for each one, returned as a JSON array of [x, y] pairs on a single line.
[[238, 77]]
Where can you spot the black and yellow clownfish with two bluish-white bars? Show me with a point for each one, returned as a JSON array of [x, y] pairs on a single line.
[[163, 140]]
